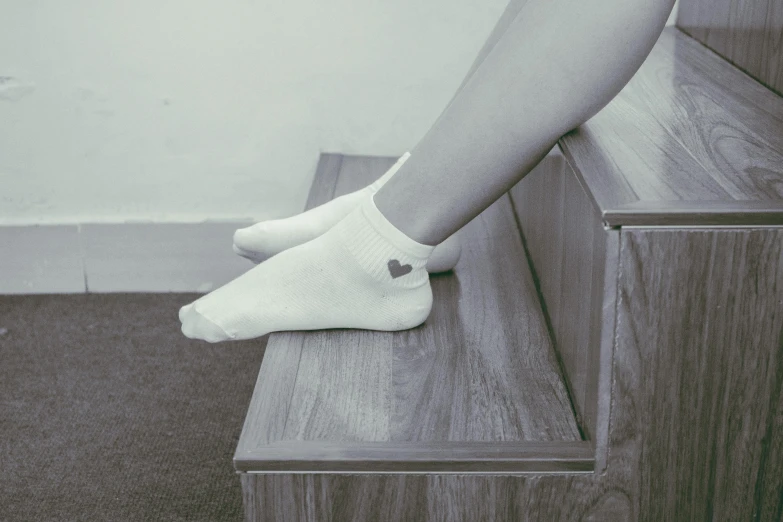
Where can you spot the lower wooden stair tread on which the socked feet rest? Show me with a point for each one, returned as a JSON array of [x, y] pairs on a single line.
[[481, 369]]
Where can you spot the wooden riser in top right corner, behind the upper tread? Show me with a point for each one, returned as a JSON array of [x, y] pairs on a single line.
[[748, 34]]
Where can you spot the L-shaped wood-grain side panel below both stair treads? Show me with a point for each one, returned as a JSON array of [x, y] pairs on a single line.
[[696, 428]]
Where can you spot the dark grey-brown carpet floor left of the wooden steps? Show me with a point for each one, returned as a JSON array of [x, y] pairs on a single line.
[[107, 412]]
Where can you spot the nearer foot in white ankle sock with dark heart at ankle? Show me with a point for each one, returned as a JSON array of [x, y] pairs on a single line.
[[362, 273]]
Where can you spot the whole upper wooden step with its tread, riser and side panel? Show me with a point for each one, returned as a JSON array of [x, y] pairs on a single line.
[[657, 243]]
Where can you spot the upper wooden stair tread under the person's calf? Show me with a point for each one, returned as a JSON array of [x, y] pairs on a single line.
[[690, 140]]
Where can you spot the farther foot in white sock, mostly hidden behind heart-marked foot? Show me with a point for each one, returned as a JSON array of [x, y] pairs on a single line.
[[268, 238]]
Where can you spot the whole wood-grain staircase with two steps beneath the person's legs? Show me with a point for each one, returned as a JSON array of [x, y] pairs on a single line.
[[609, 347]]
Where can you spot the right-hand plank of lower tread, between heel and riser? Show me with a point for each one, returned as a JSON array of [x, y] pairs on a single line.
[[479, 369]]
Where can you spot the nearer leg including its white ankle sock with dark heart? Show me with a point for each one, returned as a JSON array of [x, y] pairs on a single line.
[[368, 271]]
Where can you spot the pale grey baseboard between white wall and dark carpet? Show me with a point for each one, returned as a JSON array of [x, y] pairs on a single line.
[[124, 257]]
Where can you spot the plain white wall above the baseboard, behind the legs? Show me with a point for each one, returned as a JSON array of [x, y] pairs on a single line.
[[186, 110]]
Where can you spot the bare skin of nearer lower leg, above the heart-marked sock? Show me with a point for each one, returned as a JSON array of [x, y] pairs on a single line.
[[558, 63]]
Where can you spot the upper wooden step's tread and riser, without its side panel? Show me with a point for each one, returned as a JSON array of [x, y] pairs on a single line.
[[692, 142]]
